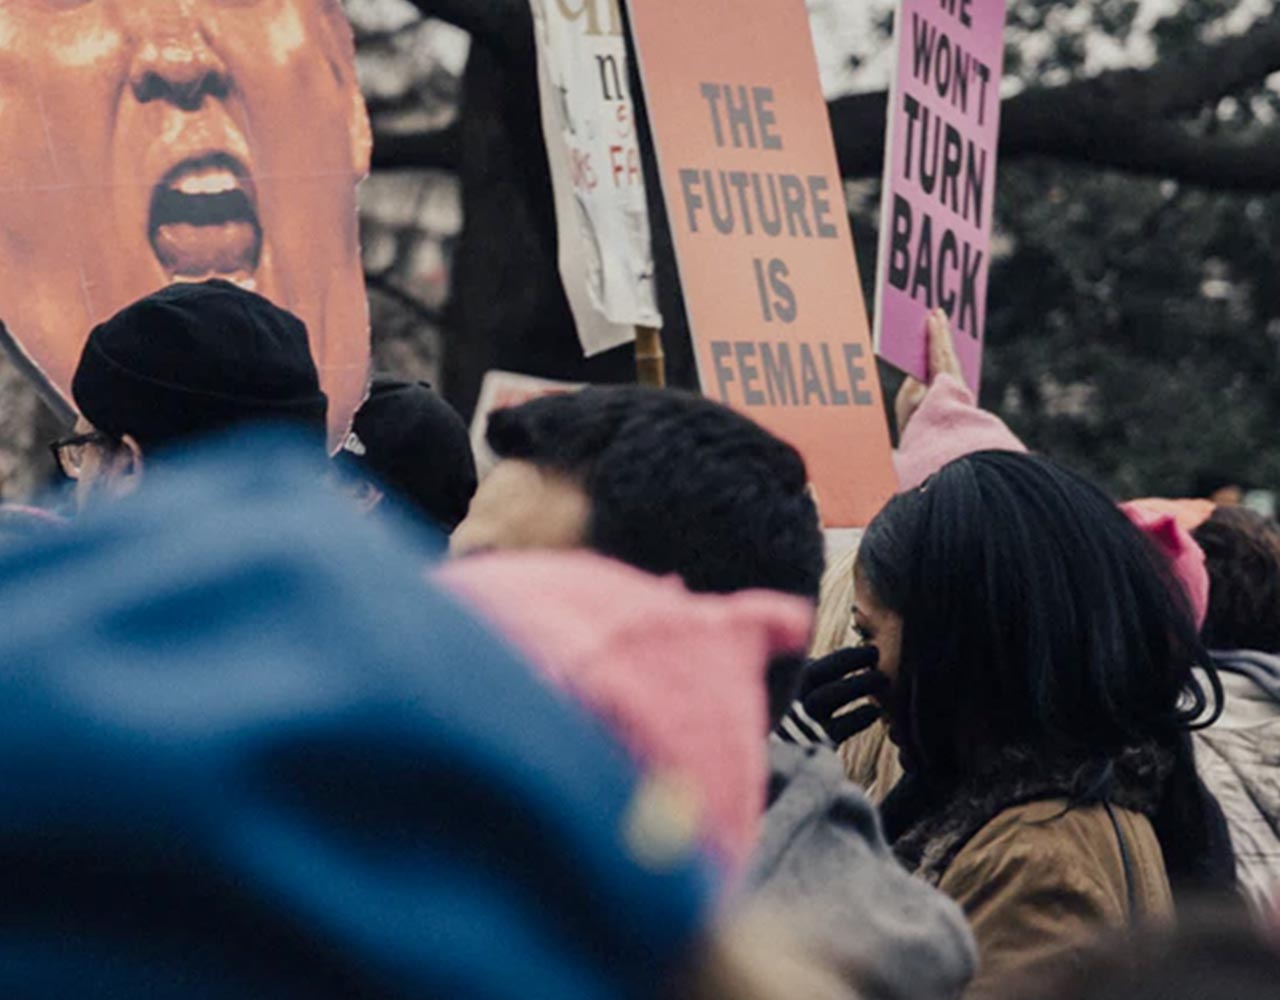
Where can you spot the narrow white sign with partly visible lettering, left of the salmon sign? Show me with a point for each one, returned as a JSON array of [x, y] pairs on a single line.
[[606, 259]]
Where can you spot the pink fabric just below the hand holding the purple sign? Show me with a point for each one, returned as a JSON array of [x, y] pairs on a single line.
[[947, 427]]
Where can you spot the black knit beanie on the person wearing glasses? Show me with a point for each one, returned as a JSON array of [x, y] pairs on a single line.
[[194, 359]]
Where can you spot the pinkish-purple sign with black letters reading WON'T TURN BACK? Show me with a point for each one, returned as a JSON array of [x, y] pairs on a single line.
[[940, 179]]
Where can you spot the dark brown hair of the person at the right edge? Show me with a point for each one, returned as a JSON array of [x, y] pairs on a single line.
[[1242, 554]]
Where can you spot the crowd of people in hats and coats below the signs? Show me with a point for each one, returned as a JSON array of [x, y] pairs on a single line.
[[612, 722]]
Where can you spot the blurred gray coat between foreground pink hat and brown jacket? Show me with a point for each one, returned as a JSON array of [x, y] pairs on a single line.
[[824, 862]]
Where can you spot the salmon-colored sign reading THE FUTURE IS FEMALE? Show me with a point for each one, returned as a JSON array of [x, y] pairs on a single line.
[[762, 238]]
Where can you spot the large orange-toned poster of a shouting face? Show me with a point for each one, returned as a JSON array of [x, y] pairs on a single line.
[[145, 143]]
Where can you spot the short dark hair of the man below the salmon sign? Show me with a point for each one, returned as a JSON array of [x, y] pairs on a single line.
[[676, 485]]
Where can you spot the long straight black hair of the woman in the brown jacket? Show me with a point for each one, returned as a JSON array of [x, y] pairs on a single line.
[[1036, 617]]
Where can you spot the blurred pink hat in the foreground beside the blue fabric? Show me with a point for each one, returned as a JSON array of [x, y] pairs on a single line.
[[679, 677]]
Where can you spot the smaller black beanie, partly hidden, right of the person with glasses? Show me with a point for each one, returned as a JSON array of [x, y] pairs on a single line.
[[410, 440]]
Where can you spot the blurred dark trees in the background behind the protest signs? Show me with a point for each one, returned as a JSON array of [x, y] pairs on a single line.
[[1135, 326]]
